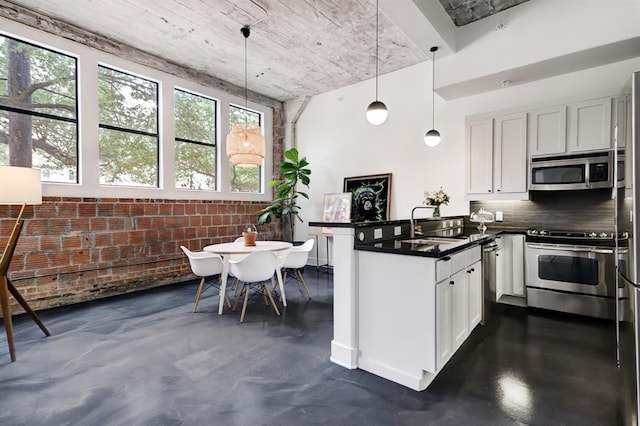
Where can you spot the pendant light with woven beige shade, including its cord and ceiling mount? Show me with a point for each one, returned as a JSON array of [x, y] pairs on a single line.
[[245, 143]]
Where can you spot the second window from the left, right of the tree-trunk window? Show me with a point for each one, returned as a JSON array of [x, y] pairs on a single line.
[[128, 110]]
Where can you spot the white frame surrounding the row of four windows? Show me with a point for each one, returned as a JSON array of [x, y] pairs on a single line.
[[88, 185]]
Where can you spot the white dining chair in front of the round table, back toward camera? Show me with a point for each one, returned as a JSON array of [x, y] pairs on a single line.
[[253, 271]]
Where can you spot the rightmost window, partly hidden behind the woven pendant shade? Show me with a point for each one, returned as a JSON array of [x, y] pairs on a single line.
[[244, 178]]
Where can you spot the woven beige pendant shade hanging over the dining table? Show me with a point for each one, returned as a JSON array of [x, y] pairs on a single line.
[[245, 145]]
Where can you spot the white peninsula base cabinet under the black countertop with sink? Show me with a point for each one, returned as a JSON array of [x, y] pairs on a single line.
[[410, 317]]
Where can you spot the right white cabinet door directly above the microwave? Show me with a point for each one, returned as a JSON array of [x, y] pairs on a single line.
[[589, 125]]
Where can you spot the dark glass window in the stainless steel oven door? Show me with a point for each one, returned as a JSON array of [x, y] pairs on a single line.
[[568, 269]]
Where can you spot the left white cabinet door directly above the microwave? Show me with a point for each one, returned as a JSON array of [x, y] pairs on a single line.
[[548, 130]]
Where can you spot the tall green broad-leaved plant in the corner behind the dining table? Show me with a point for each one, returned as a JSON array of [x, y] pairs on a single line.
[[294, 171]]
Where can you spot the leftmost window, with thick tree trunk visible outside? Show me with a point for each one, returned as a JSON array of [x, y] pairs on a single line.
[[38, 110]]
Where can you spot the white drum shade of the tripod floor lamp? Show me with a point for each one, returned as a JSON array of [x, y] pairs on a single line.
[[20, 185]]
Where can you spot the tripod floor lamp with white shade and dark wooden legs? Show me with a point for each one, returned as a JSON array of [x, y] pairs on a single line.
[[20, 186]]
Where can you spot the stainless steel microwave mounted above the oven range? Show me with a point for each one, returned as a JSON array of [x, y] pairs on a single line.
[[587, 170]]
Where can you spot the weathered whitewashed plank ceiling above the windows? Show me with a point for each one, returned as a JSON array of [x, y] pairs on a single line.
[[300, 48]]
